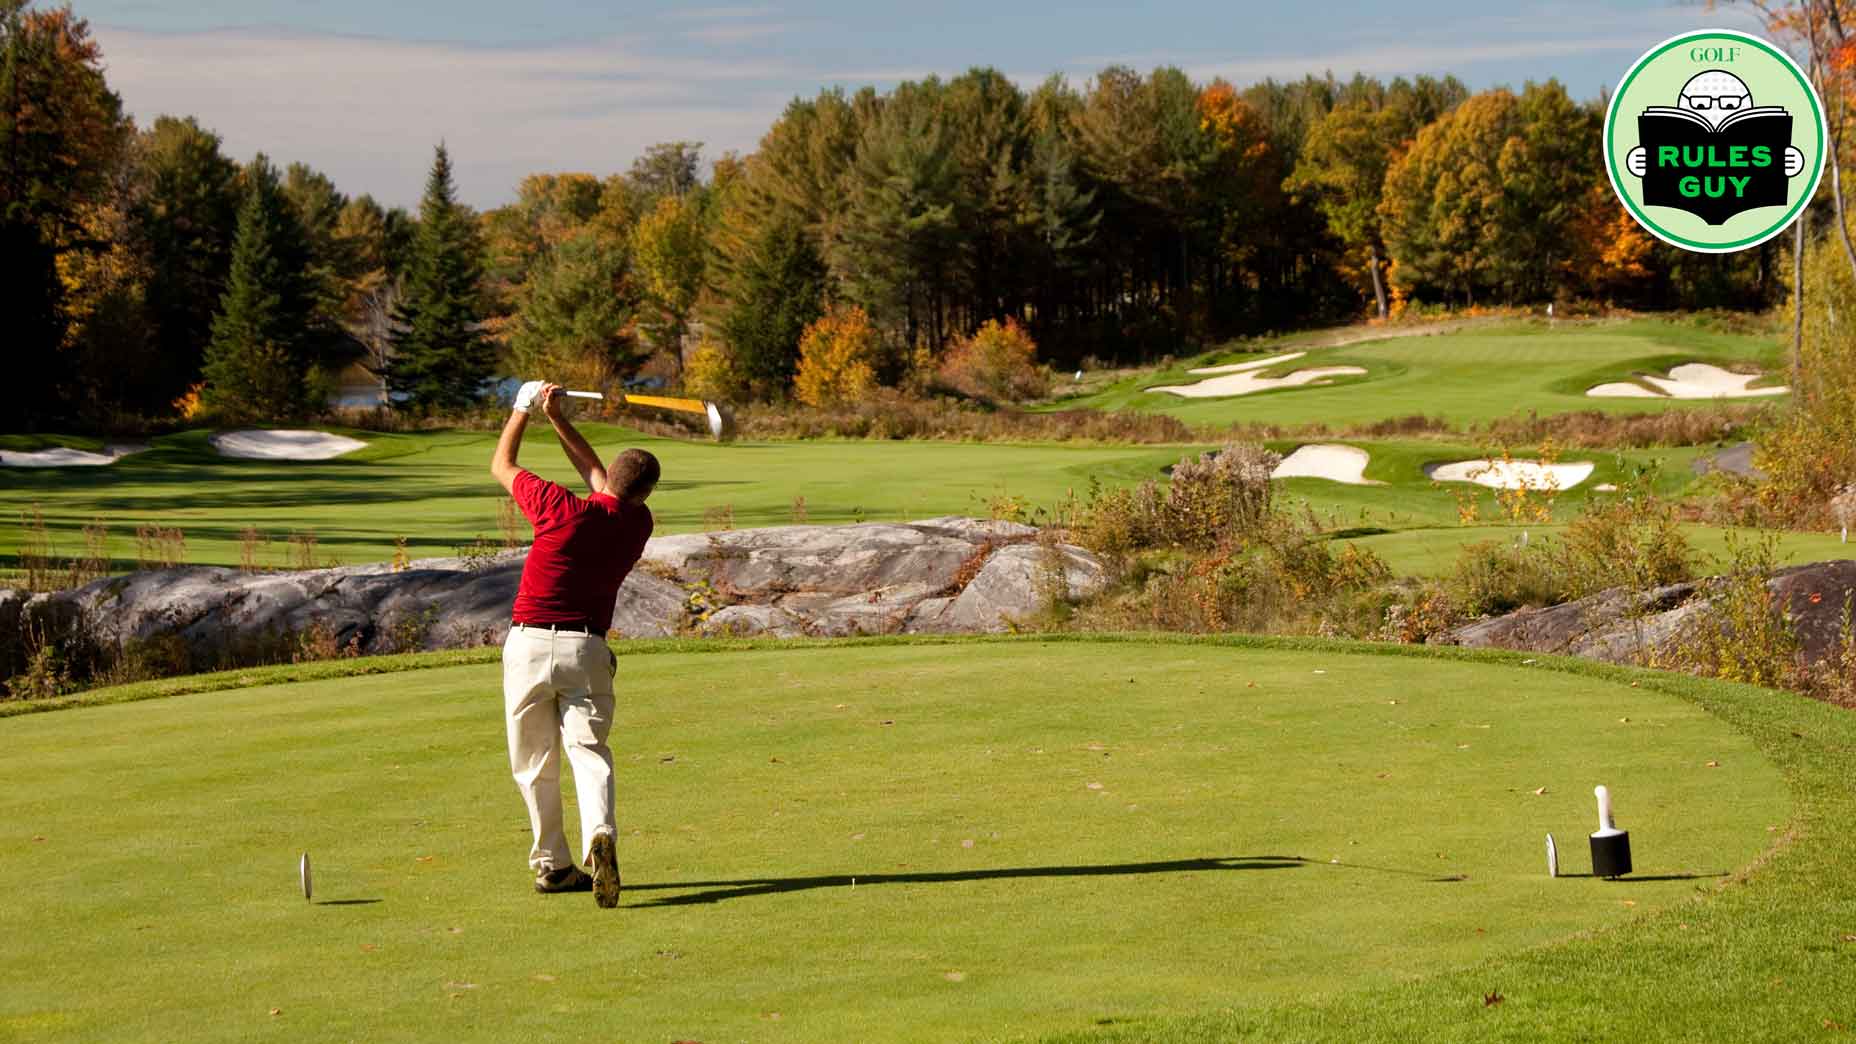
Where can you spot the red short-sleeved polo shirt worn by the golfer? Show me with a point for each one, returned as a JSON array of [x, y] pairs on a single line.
[[584, 549]]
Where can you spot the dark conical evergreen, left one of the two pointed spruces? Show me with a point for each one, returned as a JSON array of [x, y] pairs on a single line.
[[255, 361]]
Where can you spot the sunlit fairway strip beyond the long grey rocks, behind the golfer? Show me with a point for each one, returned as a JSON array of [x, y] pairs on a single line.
[[435, 489]]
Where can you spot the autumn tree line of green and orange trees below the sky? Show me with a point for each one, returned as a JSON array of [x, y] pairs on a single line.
[[1137, 216]]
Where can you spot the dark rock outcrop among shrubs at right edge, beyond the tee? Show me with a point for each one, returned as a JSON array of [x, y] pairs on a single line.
[[1627, 627]]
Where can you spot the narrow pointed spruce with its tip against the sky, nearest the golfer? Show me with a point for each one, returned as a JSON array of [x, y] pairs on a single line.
[[441, 358]]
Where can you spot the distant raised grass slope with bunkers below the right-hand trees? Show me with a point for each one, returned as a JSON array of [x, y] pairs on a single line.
[[1467, 376]]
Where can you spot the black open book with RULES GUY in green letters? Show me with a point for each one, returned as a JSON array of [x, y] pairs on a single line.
[[1716, 174]]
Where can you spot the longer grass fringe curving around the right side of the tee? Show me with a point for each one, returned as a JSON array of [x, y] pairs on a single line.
[[1770, 958]]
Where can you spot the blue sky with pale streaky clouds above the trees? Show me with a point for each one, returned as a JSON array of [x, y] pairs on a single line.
[[363, 90]]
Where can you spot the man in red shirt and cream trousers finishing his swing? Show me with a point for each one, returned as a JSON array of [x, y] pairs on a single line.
[[558, 670]]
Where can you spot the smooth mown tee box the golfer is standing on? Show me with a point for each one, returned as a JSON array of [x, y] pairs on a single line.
[[873, 842]]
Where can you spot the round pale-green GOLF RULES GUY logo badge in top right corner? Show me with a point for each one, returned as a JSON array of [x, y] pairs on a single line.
[[1716, 140]]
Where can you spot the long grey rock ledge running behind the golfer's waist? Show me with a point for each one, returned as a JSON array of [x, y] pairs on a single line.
[[934, 577]]
